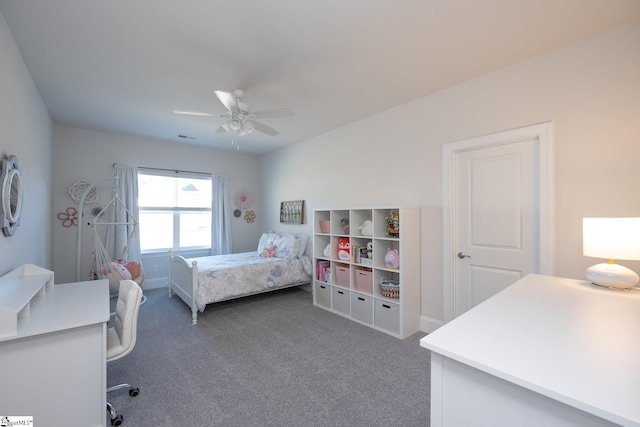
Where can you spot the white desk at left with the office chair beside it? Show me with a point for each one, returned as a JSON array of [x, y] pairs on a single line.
[[54, 367]]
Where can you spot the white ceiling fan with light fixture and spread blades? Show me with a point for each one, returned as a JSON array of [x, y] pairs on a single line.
[[240, 120]]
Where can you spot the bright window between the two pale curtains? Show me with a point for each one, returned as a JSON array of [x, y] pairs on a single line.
[[174, 210]]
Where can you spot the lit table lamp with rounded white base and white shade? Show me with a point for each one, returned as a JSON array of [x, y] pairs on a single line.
[[611, 238]]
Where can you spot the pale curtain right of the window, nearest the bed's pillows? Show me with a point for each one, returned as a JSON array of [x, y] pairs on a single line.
[[220, 216]]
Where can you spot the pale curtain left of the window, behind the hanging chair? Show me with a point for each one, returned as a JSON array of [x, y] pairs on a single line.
[[118, 235]]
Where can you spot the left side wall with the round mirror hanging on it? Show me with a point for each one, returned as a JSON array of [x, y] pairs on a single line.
[[26, 133]]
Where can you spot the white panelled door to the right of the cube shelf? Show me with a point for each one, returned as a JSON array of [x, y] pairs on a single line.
[[499, 215]]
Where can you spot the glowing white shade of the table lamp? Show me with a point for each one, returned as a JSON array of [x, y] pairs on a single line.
[[611, 238]]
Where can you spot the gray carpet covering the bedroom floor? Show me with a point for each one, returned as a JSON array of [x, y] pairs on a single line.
[[268, 360]]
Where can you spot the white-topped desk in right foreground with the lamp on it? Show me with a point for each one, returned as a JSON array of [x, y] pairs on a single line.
[[545, 351]]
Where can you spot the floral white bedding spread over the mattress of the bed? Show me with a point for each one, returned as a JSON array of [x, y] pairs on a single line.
[[226, 276]]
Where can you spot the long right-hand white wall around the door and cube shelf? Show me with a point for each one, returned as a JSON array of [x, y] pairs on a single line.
[[590, 90]]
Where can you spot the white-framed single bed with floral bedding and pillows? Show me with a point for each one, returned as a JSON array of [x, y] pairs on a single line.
[[279, 262]]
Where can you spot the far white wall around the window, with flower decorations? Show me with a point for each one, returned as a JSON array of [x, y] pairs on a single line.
[[81, 154]]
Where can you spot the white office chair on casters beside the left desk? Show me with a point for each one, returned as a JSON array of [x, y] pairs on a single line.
[[121, 337]]
